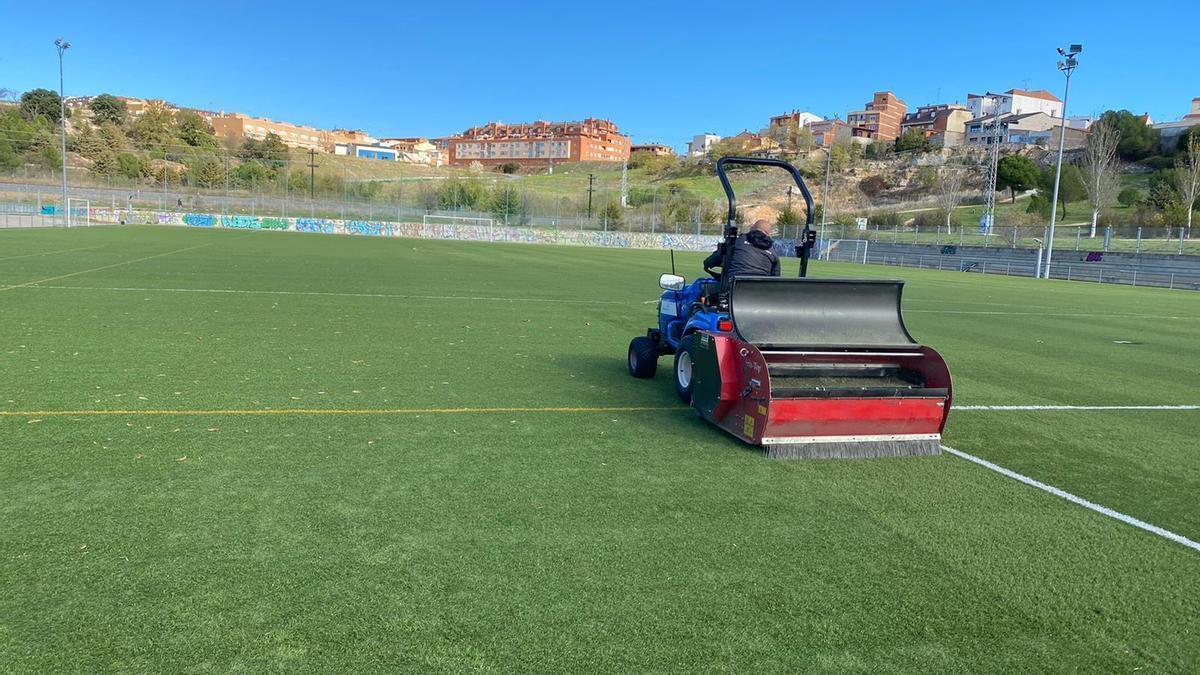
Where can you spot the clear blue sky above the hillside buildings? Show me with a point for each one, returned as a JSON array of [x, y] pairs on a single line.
[[663, 71]]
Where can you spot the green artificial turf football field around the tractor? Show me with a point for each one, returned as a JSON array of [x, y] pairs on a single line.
[[460, 529]]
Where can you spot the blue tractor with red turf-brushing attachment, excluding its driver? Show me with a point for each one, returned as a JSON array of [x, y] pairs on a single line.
[[803, 368]]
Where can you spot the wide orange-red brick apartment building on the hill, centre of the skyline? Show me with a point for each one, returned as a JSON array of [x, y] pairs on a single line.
[[589, 141]]
